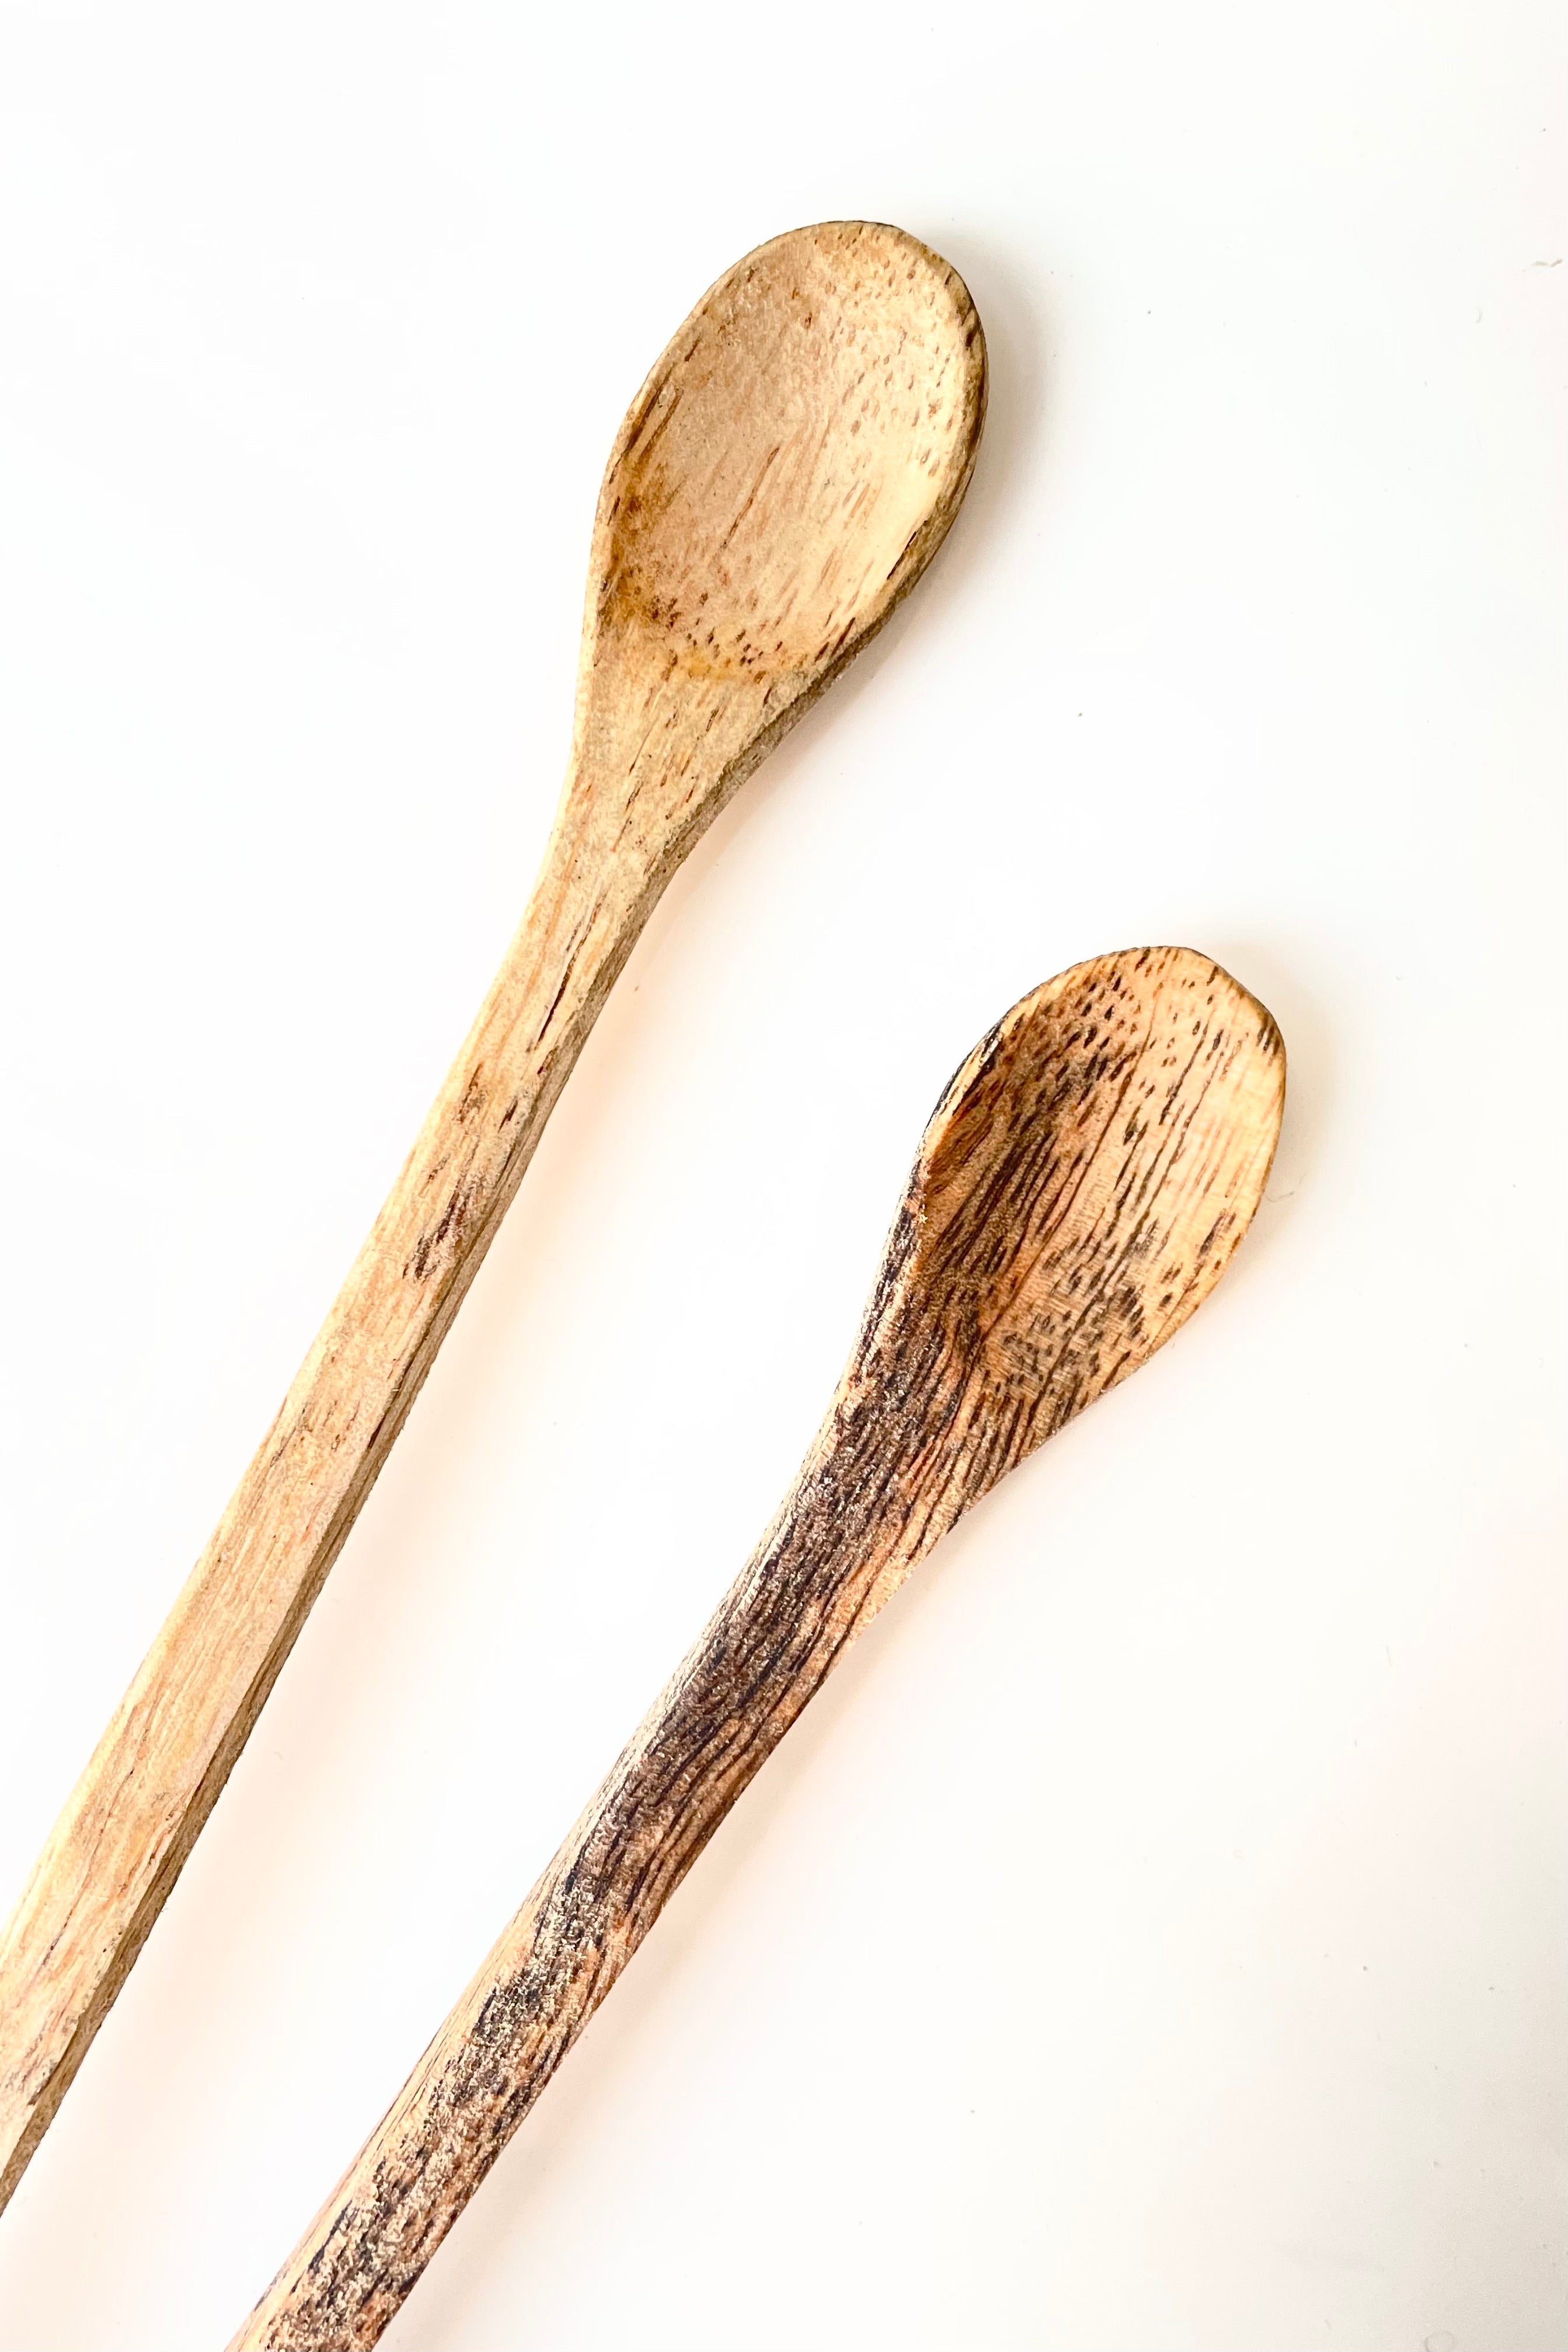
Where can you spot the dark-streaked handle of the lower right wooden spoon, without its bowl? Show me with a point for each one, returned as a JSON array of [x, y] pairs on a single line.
[[826, 1568]]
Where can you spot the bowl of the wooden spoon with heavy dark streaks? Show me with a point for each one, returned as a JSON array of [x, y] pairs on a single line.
[[1078, 1196]]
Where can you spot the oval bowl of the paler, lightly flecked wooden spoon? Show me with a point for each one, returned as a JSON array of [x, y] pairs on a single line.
[[796, 455]]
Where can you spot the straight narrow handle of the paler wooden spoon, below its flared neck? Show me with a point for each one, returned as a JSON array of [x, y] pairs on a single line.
[[161, 1765]]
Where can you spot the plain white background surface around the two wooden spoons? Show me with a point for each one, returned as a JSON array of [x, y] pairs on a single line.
[[1155, 1937]]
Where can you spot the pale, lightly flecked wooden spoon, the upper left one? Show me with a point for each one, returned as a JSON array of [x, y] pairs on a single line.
[[779, 486]]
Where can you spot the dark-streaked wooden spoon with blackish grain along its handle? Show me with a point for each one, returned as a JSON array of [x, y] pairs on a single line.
[[1078, 1196]]
